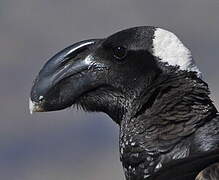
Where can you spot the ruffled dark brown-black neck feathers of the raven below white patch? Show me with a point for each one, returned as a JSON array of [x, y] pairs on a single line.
[[162, 126]]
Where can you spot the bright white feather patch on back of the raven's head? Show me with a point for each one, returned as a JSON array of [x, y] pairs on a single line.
[[168, 48]]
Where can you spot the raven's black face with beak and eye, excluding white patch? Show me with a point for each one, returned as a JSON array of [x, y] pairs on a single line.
[[92, 71]]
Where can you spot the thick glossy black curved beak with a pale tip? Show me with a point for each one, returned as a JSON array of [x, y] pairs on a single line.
[[51, 89]]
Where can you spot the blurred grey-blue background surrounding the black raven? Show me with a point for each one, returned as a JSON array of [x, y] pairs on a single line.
[[70, 144]]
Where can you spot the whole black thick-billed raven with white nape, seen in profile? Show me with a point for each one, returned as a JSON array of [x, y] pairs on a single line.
[[146, 80]]
